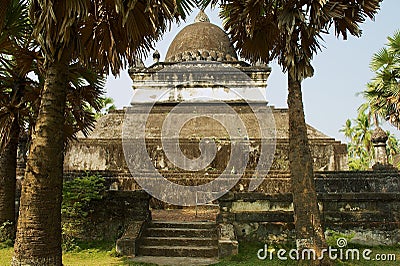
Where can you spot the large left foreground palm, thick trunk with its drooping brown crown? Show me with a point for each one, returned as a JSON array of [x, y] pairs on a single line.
[[106, 35]]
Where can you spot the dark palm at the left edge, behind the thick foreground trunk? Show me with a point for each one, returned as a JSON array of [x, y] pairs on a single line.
[[14, 108]]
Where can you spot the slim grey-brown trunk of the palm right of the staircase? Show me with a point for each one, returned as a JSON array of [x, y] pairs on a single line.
[[309, 232]]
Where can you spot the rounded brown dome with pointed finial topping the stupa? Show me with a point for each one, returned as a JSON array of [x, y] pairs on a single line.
[[201, 40]]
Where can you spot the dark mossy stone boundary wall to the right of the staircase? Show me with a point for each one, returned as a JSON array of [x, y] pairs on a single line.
[[364, 204]]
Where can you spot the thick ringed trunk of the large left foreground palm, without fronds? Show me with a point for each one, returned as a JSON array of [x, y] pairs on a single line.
[[38, 240]]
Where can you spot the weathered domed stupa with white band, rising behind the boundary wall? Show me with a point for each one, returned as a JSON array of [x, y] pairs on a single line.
[[201, 72]]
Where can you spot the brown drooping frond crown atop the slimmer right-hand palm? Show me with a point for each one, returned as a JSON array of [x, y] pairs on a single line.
[[290, 31]]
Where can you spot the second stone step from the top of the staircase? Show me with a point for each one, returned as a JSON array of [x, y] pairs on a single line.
[[181, 232]]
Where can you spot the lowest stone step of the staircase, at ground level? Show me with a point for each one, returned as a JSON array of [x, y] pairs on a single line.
[[179, 251]]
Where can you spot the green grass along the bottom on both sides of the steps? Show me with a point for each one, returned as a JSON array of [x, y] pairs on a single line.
[[102, 254]]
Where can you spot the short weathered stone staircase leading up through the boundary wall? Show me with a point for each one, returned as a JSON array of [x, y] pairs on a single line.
[[180, 239]]
